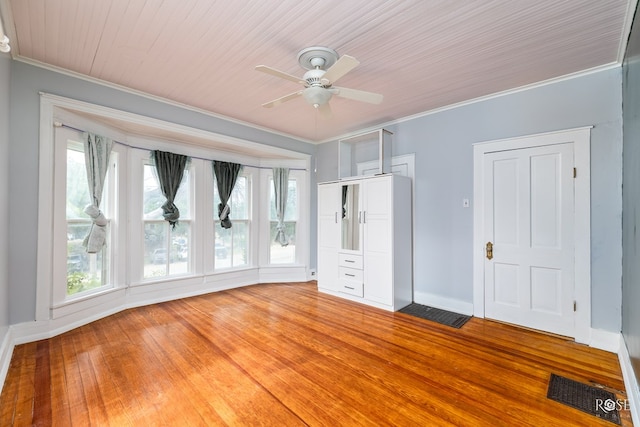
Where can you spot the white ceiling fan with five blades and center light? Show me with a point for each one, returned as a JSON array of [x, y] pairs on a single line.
[[324, 69]]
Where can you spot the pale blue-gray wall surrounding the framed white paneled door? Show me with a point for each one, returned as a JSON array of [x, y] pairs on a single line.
[[442, 143]]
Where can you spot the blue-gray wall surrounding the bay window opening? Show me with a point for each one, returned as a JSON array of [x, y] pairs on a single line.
[[26, 83]]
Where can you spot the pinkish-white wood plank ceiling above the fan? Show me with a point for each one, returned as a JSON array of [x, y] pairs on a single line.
[[420, 54]]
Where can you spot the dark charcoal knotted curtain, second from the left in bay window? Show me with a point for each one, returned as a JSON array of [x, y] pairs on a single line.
[[169, 171]]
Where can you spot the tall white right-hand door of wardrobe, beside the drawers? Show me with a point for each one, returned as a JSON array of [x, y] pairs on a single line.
[[378, 240]]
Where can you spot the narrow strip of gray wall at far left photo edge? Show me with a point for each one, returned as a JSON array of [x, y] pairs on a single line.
[[5, 67]]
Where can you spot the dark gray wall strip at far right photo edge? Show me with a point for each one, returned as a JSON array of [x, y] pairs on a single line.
[[631, 200]]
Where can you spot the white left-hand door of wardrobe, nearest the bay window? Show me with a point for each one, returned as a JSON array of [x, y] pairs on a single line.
[[329, 200]]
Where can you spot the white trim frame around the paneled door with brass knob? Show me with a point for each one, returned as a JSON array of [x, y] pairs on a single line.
[[581, 140]]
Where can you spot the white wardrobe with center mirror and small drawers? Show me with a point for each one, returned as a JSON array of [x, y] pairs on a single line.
[[364, 240]]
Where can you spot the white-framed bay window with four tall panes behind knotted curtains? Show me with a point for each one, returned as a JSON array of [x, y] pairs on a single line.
[[145, 258]]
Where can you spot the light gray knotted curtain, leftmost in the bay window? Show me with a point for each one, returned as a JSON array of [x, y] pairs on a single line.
[[97, 150]]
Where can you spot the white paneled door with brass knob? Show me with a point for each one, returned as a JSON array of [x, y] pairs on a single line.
[[528, 220]]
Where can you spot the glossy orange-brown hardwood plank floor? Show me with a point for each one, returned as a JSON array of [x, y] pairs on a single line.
[[284, 354]]
